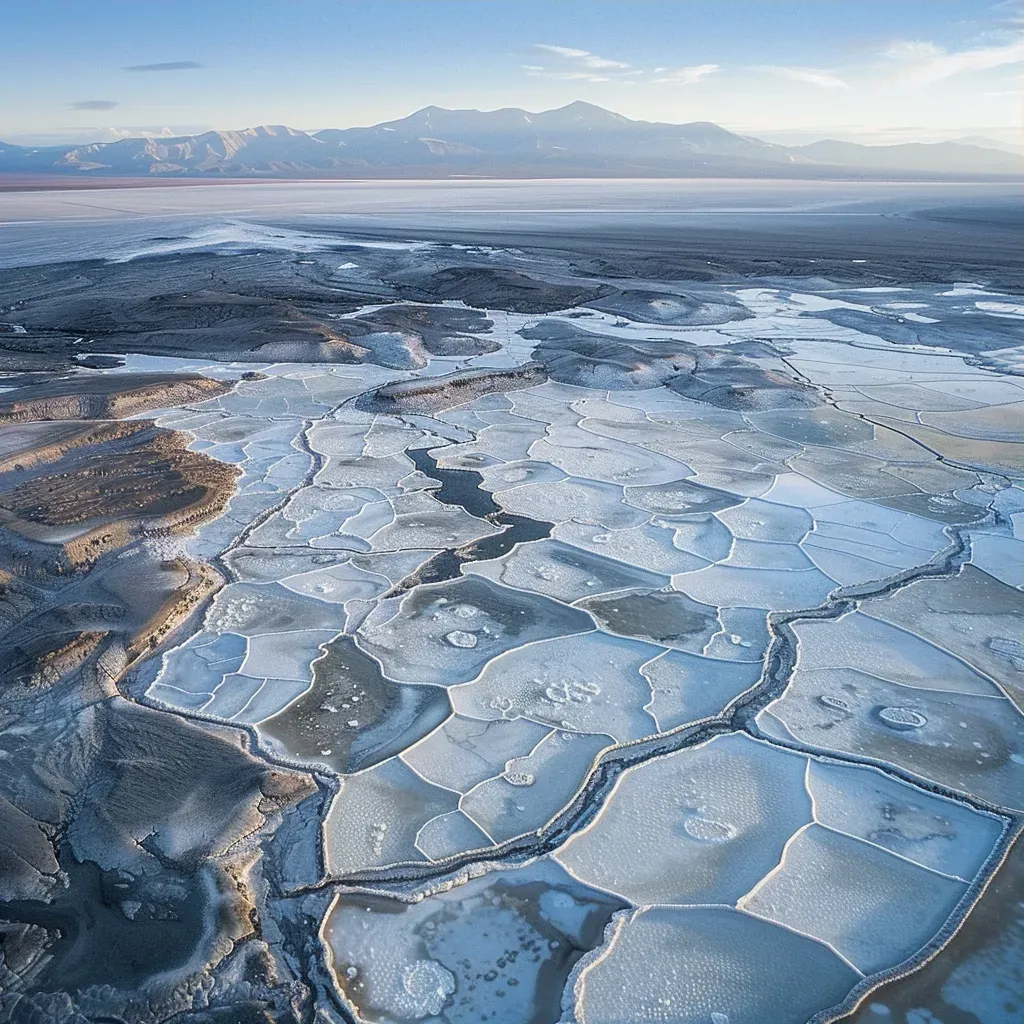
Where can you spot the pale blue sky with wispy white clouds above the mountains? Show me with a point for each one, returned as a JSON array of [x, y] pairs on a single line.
[[790, 71]]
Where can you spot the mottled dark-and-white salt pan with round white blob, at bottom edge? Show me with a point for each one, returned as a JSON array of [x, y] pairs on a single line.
[[514, 931]]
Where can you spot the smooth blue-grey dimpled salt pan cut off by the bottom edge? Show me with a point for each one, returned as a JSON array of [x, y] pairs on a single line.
[[709, 965]]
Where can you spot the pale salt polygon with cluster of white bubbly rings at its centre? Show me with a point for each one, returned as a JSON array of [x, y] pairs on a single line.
[[589, 684]]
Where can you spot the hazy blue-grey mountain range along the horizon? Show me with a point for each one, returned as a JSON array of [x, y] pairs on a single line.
[[579, 141]]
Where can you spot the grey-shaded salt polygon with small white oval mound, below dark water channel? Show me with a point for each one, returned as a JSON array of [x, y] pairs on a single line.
[[414, 645]]
